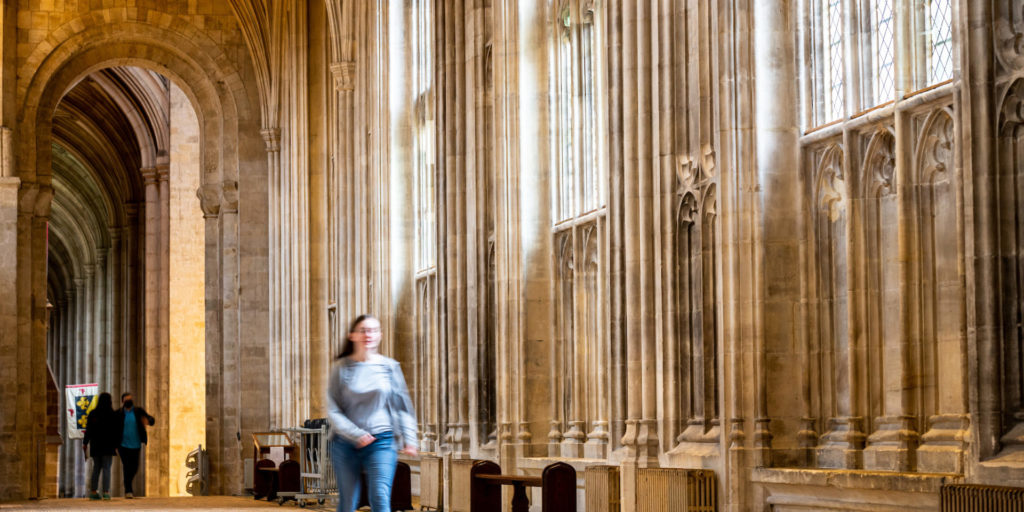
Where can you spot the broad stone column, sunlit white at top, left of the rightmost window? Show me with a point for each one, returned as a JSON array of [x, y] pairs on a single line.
[[777, 161]]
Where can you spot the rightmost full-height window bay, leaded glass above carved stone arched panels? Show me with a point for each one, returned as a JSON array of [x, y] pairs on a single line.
[[880, 75]]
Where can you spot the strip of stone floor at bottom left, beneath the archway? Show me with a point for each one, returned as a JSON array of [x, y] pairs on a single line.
[[204, 504]]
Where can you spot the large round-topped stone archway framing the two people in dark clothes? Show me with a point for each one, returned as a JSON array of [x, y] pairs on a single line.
[[174, 48]]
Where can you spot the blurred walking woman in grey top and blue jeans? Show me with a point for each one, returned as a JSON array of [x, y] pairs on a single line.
[[371, 414]]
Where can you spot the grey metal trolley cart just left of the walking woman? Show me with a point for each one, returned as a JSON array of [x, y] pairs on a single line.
[[316, 470]]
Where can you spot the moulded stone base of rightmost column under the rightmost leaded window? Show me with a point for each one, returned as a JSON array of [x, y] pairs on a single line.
[[945, 444]]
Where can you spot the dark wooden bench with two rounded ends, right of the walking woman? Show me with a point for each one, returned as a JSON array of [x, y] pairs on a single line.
[[558, 485]]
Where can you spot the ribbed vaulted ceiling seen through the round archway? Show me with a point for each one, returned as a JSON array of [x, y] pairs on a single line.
[[108, 127]]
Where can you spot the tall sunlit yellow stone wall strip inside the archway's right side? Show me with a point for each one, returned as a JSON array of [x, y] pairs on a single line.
[[188, 313]]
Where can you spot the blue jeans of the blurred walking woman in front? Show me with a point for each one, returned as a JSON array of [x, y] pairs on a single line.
[[378, 460]]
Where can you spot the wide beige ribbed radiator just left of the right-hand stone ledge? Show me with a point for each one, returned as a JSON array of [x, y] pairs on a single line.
[[667, 490]]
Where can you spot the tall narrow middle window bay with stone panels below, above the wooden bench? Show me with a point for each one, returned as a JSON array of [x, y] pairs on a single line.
[[579, 414]]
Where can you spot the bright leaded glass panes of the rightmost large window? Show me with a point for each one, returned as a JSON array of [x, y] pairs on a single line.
[[861, 55]]
